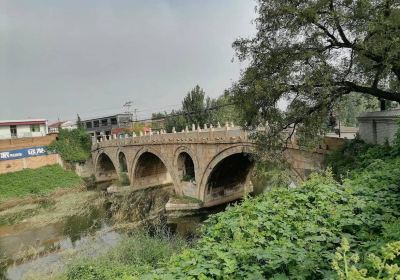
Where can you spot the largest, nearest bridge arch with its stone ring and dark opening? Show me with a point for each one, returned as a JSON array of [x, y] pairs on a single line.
[[227, 175]]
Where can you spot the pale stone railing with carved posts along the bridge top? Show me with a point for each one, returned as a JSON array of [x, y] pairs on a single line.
[[208, 134]]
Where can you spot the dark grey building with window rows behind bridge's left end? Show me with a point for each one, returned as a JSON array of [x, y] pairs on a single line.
[[106, 125]]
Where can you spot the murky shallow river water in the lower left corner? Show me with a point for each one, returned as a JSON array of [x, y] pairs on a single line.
[[28, 247]]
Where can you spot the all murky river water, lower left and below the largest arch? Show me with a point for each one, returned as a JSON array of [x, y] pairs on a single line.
[[49, 248]]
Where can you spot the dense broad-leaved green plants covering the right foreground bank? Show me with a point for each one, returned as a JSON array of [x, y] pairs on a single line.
[[287, 233]]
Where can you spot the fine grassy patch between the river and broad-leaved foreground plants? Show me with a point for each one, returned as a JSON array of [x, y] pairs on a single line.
[[135, 255]]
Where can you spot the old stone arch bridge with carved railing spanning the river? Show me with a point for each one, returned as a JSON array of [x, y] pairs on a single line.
[[212, 165]]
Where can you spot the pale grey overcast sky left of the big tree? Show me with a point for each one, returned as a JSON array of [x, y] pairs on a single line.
[[60, 58]]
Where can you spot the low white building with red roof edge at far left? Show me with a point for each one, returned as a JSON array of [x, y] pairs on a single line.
[[23, 128]]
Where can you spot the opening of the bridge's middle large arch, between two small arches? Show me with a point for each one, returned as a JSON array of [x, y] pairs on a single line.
[[150, 171]]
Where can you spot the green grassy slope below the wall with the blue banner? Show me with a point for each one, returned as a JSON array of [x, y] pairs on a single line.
[[36, 181]]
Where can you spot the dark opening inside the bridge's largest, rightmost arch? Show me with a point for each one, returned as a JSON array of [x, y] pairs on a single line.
[[230, 177]]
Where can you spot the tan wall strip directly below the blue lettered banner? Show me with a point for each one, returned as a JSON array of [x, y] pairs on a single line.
[[32, 162]]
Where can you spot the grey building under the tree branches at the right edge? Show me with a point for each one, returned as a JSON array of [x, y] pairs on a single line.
[[379, 127]]
